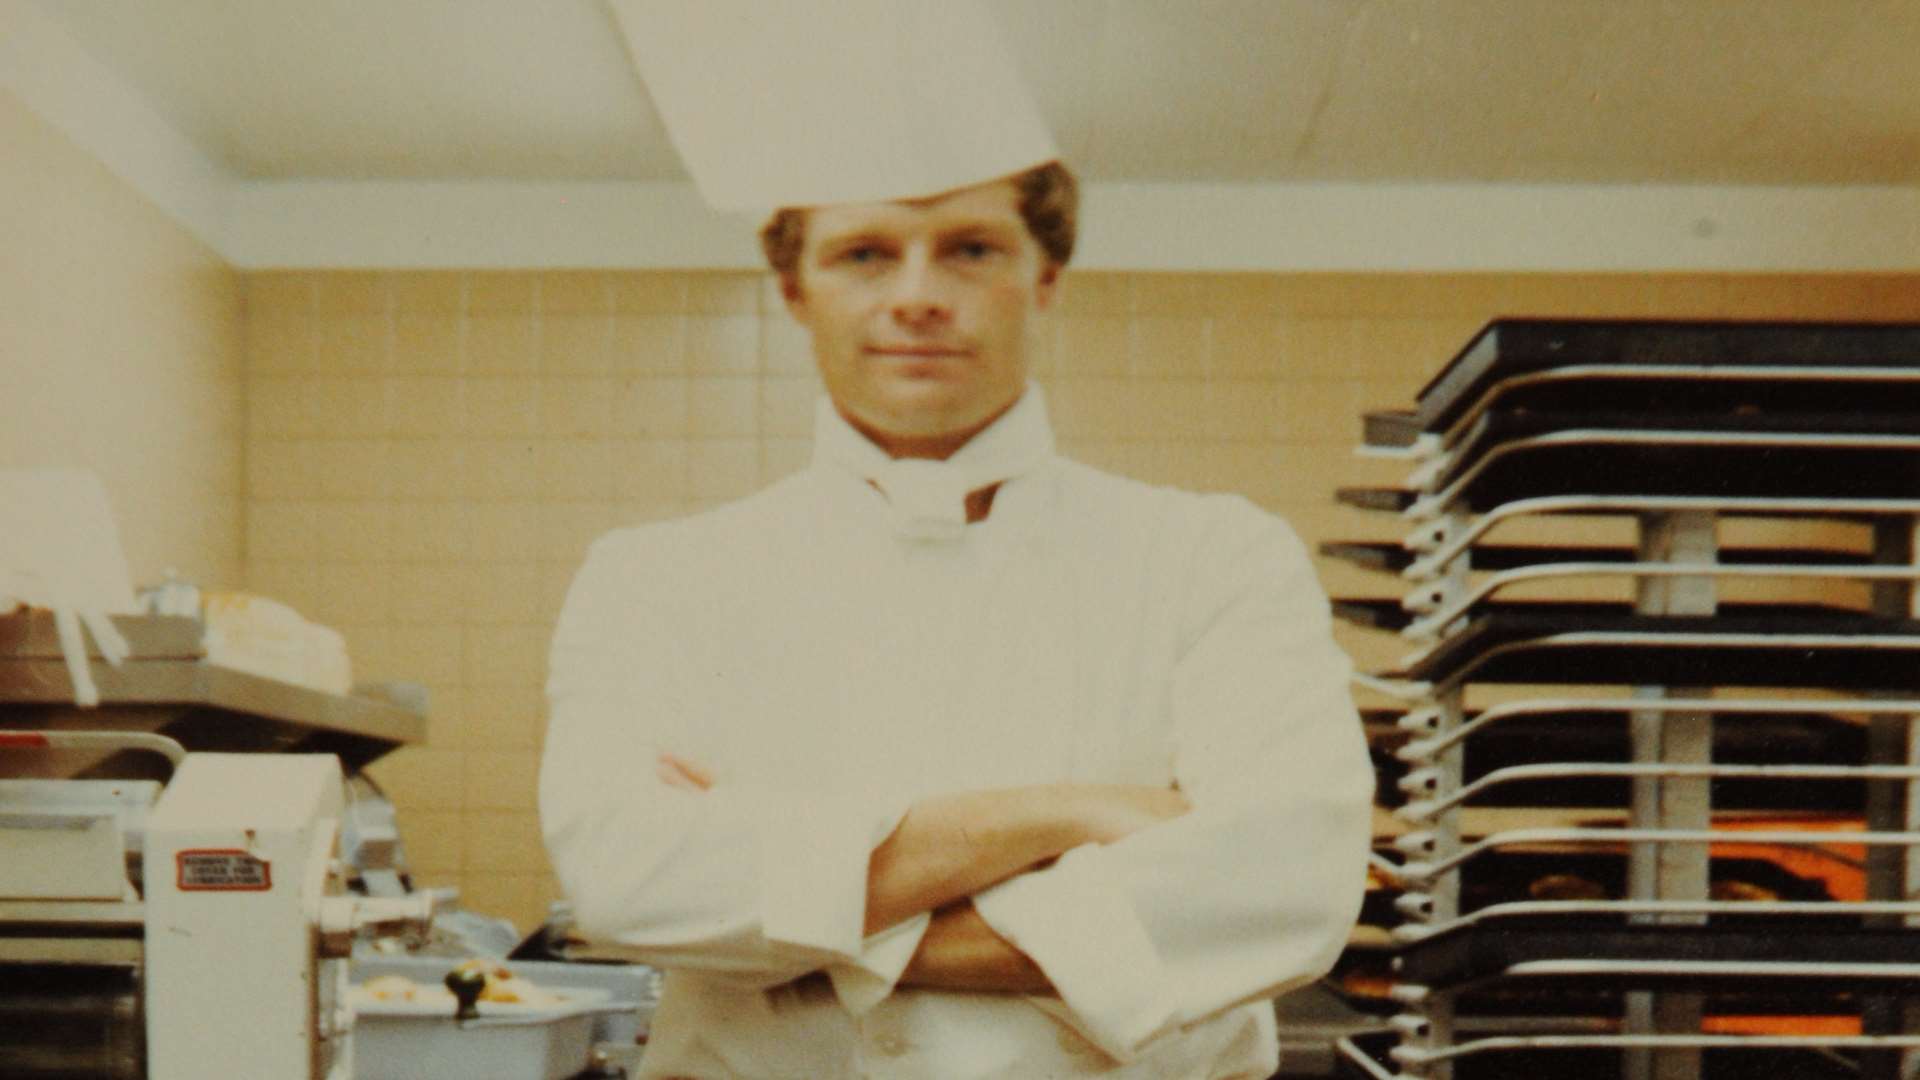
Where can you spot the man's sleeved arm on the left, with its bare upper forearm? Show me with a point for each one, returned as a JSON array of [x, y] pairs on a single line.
[[732, 877]]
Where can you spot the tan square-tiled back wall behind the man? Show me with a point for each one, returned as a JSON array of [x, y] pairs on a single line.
[[429, 454]]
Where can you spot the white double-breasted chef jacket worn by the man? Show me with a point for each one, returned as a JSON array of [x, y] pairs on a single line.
[[830, 662]]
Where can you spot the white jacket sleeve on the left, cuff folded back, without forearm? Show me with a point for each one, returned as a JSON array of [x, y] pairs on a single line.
[[740, 881]]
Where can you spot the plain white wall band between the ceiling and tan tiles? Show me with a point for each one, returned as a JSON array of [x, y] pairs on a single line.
[[1128, 226]]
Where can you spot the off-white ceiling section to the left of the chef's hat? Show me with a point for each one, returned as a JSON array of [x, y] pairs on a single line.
[[368, 89]]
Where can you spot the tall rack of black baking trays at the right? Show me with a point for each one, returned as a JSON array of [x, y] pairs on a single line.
[[1654, 766]]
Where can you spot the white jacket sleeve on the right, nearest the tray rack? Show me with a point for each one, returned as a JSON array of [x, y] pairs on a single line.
[[1257, 889]]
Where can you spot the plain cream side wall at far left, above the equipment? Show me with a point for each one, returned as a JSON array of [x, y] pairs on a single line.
[[120, 353]]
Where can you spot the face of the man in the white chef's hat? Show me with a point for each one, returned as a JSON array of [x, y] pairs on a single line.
[[919, 312]]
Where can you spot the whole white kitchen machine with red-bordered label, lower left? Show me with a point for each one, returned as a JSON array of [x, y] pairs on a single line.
[[233, 945]]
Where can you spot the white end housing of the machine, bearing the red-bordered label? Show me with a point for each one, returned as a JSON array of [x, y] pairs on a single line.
[[247, 920]]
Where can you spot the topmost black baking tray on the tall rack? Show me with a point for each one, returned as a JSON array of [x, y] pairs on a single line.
[[1508, 349]]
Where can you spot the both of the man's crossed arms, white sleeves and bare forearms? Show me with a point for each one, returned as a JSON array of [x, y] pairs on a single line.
[[1241, 898]]
